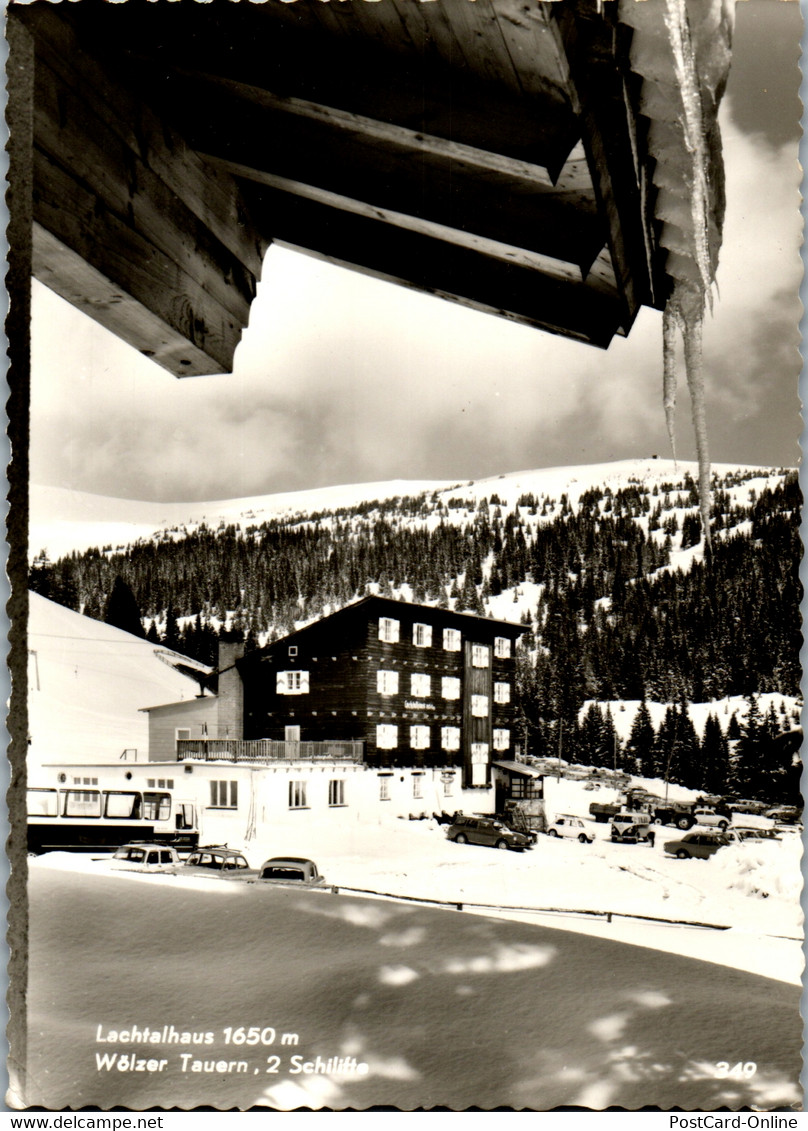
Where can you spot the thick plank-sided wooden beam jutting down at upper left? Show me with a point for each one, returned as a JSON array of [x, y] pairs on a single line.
[[132, 227]]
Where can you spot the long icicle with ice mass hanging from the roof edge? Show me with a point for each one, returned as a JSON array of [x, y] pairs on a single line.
[[682, 48]]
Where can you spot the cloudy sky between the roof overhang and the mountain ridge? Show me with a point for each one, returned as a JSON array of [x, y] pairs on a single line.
[[345, 379]]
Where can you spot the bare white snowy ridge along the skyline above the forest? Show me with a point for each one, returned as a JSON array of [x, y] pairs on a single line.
[[63, 521]]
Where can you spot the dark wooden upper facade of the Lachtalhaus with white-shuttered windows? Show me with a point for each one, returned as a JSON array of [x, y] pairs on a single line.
[[338, 662]]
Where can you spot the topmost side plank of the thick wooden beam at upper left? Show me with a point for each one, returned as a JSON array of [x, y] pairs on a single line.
[[213, 198]]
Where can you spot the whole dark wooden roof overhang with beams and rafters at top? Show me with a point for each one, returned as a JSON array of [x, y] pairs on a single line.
[[484, 151]]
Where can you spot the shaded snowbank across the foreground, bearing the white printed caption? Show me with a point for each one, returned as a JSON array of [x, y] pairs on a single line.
[[398, 1004]]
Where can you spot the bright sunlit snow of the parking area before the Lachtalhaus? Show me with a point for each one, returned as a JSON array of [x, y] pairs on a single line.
[[752, 891]]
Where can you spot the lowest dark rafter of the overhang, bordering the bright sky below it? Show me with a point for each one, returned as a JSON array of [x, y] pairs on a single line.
[[437, 267]]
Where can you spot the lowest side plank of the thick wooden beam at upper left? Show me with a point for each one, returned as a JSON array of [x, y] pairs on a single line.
[[68, 211]]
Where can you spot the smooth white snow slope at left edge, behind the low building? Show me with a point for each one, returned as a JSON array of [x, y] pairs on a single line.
[[88, 684]]
